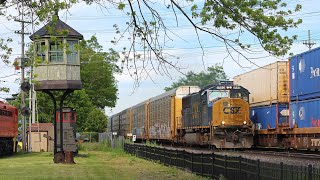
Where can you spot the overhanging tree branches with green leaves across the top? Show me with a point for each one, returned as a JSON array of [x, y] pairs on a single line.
[[265, 20]]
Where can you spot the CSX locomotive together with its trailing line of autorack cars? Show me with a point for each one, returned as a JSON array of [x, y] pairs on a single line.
[[217, 116]]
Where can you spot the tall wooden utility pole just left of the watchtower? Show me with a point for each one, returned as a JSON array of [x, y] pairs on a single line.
[[22, 76]]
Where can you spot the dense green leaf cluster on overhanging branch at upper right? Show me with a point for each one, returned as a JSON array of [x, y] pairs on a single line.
[[262, 19]]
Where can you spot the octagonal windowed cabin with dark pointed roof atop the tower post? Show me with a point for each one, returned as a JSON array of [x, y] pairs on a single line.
[[58, 57]]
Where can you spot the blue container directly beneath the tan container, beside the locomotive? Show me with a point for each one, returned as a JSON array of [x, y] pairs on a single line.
[[266, 117]]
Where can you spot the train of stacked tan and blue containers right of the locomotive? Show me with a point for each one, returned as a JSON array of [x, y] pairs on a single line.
[[285, 102]]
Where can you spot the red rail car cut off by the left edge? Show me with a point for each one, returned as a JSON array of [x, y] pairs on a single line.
[[8, 128]]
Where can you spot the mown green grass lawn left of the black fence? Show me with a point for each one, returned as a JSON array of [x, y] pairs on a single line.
[[94, 162]]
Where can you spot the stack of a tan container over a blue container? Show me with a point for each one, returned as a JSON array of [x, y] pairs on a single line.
[[269, 95]]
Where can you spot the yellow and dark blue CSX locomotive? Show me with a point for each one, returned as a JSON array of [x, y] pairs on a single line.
[[217, 115]]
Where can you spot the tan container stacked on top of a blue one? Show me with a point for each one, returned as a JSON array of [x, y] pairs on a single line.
[[267, 85]]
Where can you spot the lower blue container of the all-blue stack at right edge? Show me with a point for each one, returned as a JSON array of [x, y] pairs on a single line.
[[305, 114]]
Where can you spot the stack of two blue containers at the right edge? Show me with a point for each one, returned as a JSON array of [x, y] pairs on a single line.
[[305, 89]]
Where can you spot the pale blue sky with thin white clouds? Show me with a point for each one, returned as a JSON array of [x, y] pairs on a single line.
[[92, 20]]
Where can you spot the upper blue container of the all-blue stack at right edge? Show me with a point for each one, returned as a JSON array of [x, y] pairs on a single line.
[[305, 75]]
